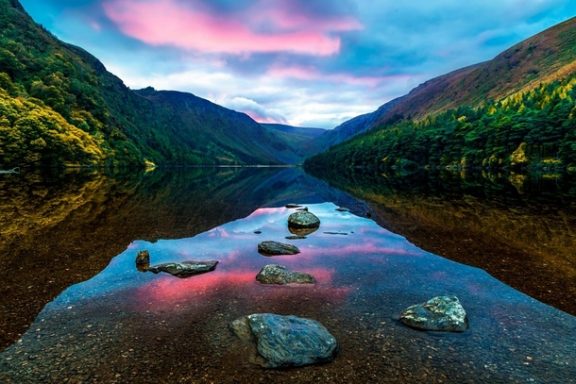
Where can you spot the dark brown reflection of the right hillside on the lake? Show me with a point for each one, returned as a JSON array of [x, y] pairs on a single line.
[[520, 228]]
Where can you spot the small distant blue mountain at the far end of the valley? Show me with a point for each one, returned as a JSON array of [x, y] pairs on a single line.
[[300, 141]]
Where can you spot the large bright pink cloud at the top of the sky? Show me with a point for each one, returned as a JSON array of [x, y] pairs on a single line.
[[171, 23]]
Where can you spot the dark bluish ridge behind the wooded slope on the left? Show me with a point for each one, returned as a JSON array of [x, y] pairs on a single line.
[[212, 132]]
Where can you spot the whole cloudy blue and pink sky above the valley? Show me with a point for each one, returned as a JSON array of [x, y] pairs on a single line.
[[313, 63]]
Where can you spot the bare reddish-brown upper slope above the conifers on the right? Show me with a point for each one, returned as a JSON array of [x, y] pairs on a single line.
[[544, 57]]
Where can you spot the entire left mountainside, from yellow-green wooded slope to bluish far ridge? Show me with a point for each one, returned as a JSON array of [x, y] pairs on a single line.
[[60, 107]]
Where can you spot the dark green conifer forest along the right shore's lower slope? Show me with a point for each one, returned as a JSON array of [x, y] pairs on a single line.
[[533, 128]]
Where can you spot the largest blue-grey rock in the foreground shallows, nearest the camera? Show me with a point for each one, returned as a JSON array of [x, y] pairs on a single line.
[[286, 341]]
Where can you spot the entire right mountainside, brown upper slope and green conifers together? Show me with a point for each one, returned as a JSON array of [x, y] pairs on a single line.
[[516, 110]]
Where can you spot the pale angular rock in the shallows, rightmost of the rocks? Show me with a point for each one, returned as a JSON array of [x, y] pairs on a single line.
[[441, 313]]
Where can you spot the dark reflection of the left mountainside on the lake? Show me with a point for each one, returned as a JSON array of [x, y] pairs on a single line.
[[63, 228]]
